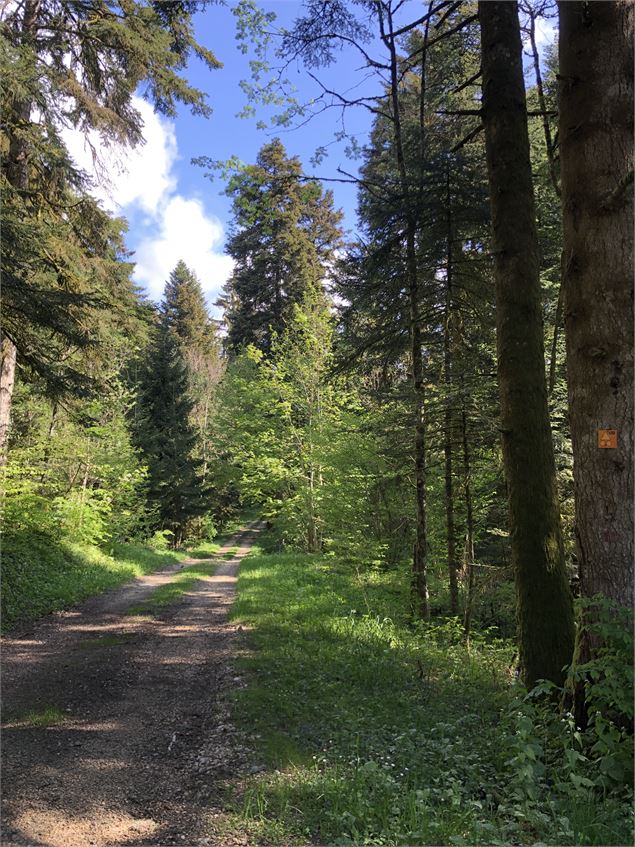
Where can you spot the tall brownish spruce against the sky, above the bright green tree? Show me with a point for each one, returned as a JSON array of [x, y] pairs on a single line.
[[285, 233]]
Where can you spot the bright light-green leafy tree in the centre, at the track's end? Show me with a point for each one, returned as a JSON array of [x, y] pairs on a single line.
[[290, 433]]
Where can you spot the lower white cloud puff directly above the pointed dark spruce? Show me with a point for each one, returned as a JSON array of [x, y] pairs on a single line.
[[186, 232]]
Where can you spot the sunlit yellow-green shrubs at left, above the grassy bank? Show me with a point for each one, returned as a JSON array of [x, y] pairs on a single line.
[[72, 471]]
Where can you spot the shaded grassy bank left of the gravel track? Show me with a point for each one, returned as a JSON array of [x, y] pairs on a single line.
[[40, 575]]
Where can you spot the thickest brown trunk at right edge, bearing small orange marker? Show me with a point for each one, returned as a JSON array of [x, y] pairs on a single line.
[[596, 142]]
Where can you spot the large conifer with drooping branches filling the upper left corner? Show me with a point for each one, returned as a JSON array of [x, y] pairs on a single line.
[[68, 64]]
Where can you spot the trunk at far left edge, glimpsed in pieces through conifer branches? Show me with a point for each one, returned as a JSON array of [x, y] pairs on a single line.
[[17, 172]]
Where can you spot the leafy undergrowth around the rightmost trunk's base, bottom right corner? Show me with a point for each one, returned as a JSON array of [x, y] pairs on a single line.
[[557, 768]]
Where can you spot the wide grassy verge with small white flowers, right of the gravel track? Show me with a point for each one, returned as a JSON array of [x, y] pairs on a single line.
[[372, 732]]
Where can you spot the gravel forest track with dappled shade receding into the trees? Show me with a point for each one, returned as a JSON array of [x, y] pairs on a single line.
[[139, 742]]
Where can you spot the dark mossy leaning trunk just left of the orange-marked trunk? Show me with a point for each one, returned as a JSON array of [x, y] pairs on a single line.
[[545, 613]]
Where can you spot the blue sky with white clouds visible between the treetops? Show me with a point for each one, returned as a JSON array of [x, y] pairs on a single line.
[[173, 211]]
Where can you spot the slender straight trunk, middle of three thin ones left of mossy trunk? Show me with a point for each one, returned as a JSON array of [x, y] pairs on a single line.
[[448, 414]]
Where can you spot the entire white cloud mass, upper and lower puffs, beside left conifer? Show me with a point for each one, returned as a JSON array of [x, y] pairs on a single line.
[[174, 226]]
